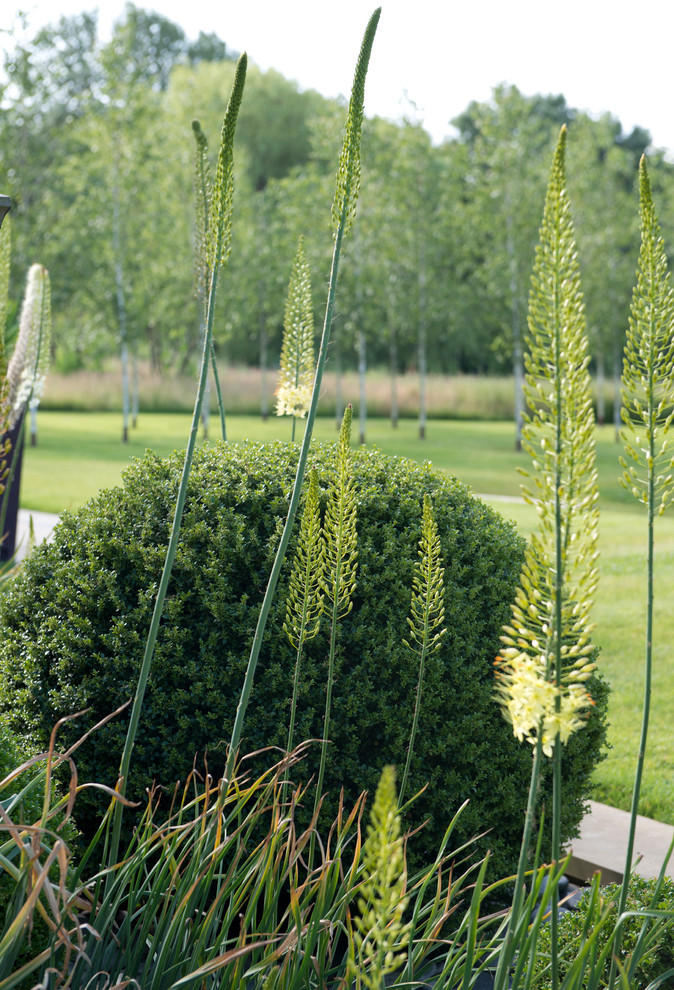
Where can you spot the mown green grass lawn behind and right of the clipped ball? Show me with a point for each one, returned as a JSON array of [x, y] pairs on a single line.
[[79, 453]]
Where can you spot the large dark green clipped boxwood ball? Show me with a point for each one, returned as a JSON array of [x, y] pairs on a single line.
[[75, 623]]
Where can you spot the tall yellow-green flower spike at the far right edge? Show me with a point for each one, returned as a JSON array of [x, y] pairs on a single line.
[[648, 367]]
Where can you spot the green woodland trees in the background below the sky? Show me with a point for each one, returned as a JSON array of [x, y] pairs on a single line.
[[96, 152]]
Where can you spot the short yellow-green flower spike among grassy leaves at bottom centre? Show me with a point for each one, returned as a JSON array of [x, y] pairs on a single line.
[[379, 934]]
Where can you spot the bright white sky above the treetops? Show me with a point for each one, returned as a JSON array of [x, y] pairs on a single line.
[[440, 55]]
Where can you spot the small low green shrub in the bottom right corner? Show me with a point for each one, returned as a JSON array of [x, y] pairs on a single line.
[[655, 962]]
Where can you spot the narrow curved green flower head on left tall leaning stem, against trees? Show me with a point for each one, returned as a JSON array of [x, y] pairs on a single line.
[[220, 221]]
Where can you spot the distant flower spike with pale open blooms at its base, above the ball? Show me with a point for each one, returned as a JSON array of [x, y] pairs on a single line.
[[296, 373]]
